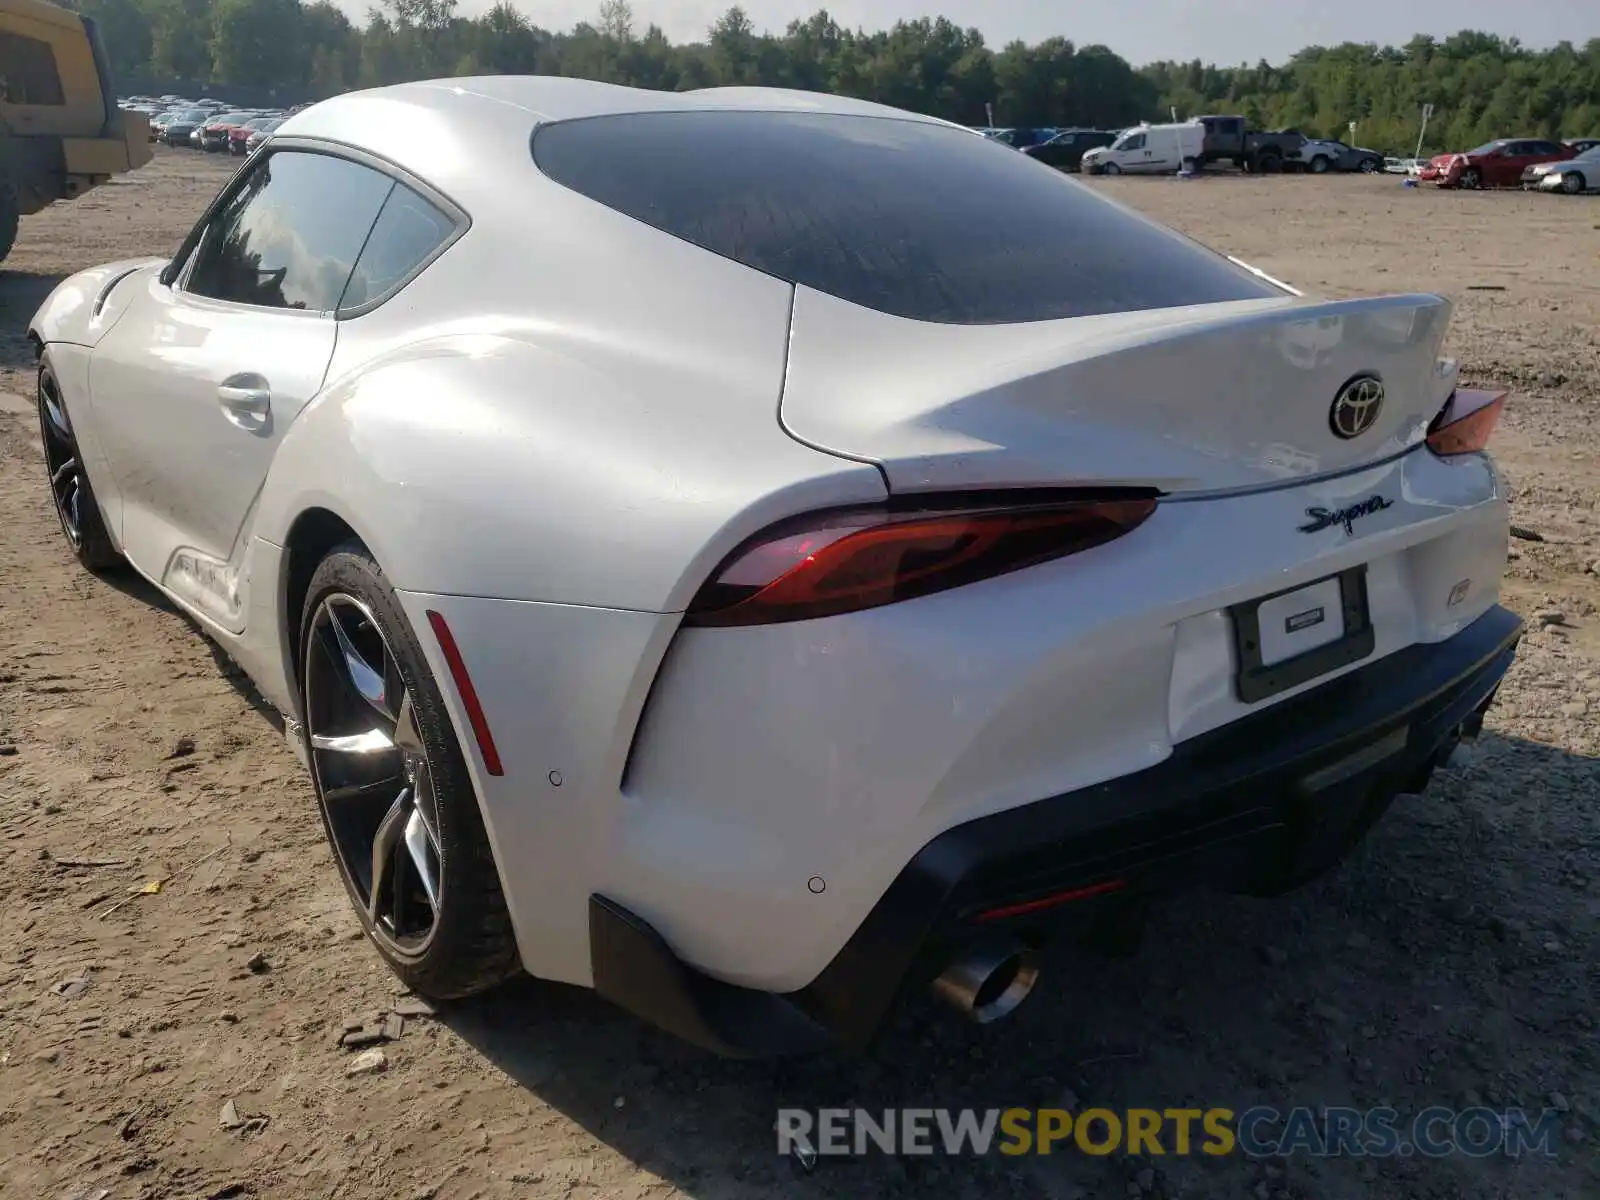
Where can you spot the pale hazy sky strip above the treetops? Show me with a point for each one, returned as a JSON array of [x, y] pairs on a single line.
[[1142, 31]]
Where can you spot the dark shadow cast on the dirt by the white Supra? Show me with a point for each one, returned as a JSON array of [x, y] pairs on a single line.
[[1444, 966]]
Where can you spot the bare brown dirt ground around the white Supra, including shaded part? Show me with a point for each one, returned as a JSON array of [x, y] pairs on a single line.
[[1452, 962]]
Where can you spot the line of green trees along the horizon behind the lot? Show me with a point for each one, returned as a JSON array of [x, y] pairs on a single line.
[[1481, 86]]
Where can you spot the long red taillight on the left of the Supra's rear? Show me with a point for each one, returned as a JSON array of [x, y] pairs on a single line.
[[849, 561]]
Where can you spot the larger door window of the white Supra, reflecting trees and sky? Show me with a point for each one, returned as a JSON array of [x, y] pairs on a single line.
[[290, 234]]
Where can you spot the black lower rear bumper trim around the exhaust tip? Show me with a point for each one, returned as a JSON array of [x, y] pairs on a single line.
[[1255, 806]]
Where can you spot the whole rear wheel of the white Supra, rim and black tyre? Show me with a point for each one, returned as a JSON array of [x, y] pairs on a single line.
[[393, 786]]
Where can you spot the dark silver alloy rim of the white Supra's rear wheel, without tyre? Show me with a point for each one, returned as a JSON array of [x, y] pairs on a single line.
[[372, 770]]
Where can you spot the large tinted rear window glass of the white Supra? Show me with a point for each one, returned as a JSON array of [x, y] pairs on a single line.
[[914, 220]]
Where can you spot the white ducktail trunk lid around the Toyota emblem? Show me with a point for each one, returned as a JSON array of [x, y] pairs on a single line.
[[1202, 399]]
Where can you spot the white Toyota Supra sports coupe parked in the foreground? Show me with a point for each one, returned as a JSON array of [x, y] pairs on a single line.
[[753, 553]]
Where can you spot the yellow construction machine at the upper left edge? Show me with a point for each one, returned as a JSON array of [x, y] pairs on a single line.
[[62, 132]]
